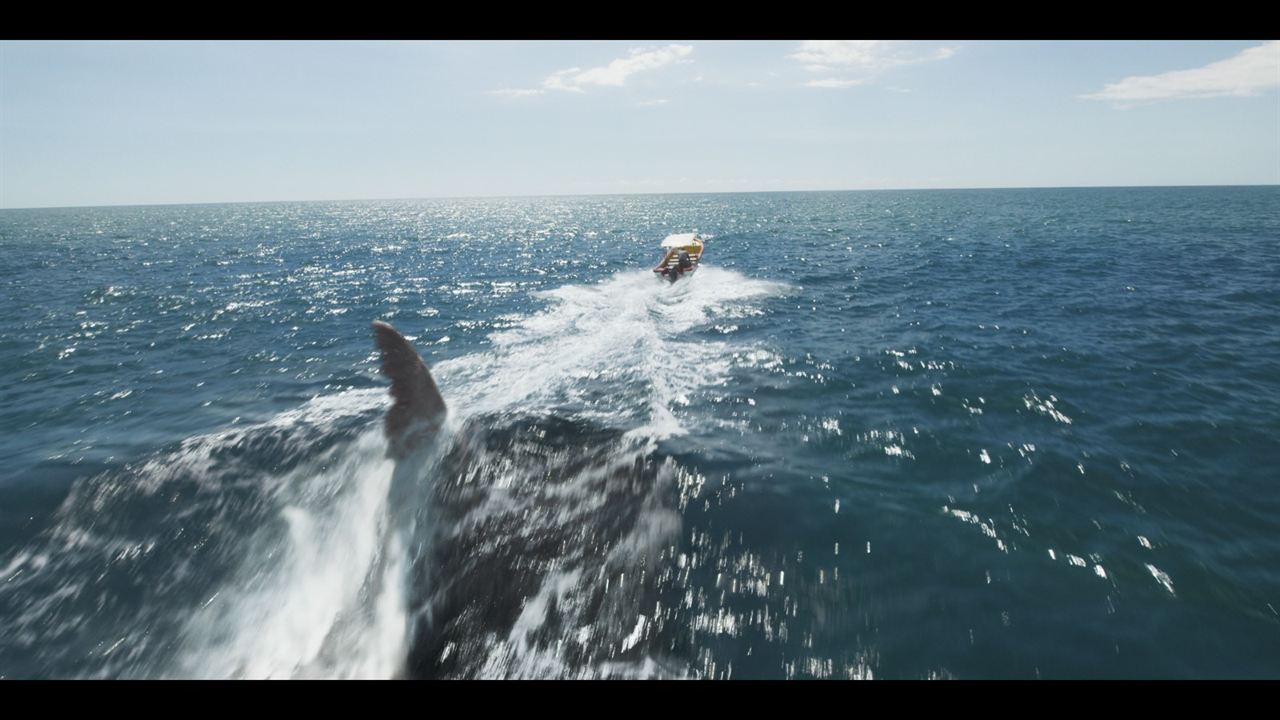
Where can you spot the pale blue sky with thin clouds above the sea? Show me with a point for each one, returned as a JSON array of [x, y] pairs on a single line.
[[144, 122]]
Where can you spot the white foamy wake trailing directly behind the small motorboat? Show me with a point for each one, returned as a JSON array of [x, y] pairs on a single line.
[[625, 331]]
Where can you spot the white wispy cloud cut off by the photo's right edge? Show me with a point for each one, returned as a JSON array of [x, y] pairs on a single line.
[[1250, 72]]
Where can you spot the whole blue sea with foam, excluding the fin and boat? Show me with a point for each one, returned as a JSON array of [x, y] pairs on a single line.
[[1007, 434]]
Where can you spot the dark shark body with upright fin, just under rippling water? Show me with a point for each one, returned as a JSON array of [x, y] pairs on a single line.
[[538, 543]]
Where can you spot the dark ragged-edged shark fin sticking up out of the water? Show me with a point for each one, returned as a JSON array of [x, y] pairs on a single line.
[[418, 402]]
